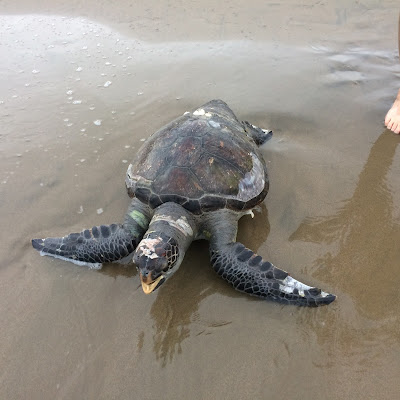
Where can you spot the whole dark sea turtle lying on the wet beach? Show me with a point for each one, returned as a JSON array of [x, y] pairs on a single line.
[[192, 179]]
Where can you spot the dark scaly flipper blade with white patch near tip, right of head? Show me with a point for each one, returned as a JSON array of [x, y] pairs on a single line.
[[248, 273]]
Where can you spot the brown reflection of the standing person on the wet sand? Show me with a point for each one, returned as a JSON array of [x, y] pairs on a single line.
[[360, 258]]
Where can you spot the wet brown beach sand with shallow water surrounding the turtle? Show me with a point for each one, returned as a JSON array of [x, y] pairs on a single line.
[[82, 84]]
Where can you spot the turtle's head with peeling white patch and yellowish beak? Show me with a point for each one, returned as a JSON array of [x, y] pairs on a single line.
[[156, 258]]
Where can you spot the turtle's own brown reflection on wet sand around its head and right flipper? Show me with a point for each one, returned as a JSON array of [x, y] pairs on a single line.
[[175, 310]]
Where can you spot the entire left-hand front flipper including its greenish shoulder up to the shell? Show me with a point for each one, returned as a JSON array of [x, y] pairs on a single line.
[[105, 243]]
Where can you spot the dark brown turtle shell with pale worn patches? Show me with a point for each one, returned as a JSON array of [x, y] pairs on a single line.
[[202, 160]]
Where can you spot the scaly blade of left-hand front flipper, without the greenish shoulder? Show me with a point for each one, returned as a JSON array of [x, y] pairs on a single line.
[[91, 247]]
